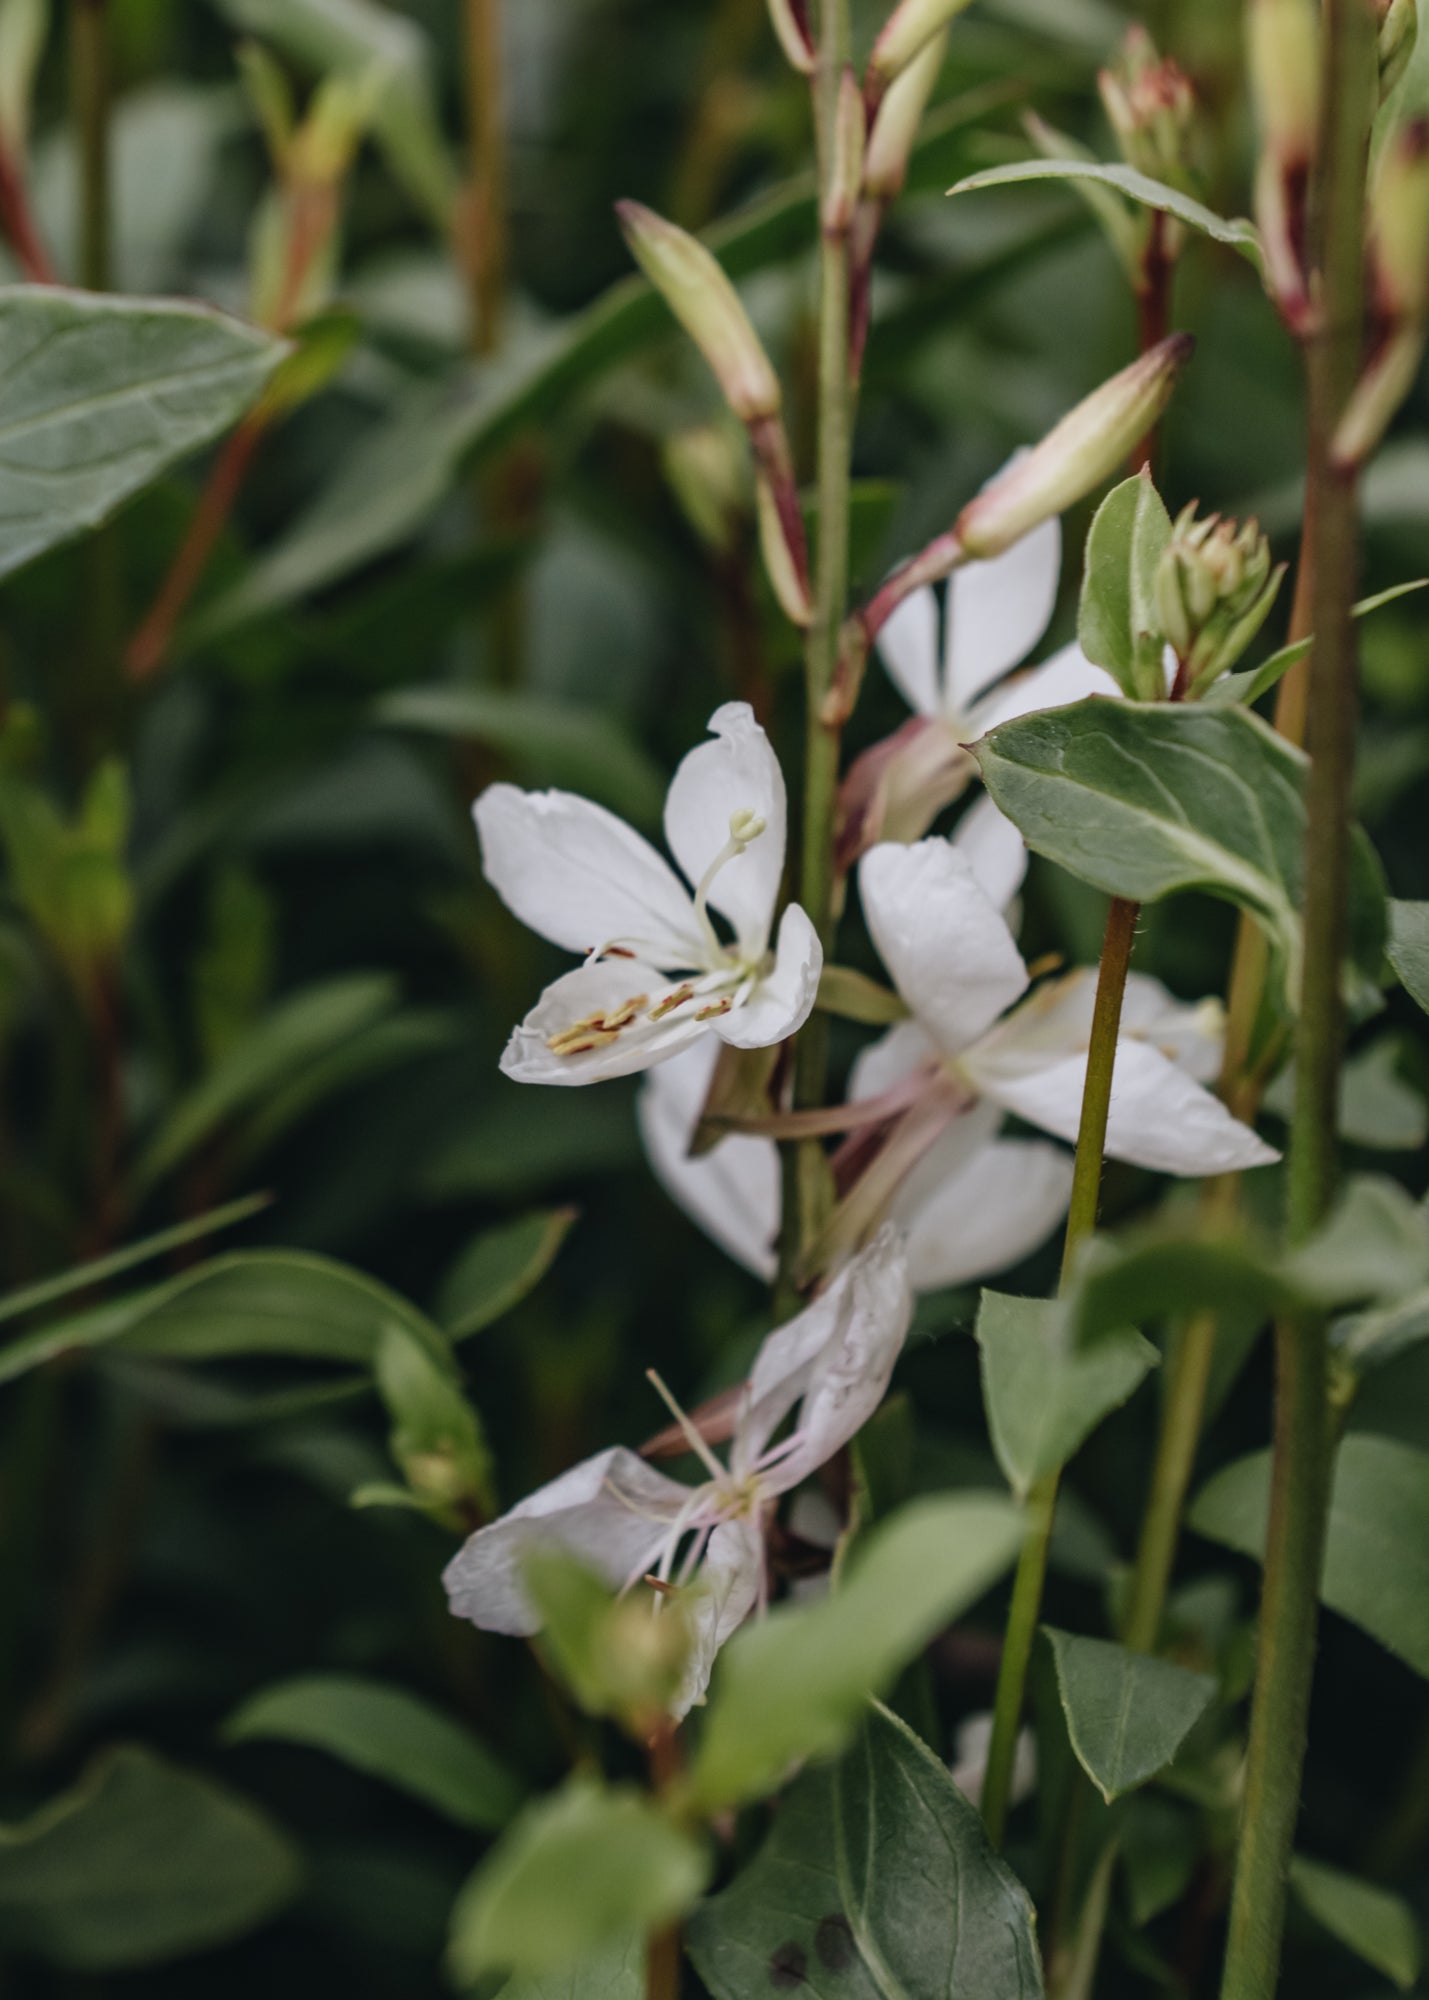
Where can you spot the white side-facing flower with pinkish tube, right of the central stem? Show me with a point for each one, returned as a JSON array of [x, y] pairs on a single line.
[[970, 1051]]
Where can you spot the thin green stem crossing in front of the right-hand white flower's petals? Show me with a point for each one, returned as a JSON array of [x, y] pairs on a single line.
[[1042, 1501]]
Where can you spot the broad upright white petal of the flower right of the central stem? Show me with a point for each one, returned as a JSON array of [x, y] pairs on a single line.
[[946, 947]]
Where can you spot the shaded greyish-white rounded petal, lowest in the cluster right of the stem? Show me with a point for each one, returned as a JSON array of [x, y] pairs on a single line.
[[1002, 1207]]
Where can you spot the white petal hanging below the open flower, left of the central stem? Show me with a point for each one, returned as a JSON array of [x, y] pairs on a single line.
[[732, 1193]]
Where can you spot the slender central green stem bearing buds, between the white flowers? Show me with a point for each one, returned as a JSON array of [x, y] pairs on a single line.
[[832, 593]]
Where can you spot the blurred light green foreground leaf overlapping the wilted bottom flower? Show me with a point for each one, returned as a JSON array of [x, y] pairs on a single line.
[[794, 1685]]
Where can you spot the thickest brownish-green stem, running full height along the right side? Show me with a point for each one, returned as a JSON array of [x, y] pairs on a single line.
[[1304, 1439]]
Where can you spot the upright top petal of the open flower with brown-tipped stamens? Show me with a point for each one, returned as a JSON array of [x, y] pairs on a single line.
[[738, 773]]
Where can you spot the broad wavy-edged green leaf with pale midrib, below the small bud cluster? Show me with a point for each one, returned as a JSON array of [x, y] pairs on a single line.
[[1152, 799]]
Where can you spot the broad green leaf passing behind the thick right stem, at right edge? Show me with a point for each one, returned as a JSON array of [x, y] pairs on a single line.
[[1378, 1553]]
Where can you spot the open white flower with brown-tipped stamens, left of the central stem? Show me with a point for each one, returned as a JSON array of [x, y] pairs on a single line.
[[583, 879]]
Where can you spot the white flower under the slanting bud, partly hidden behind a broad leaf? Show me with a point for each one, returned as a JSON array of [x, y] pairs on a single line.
[[948, 653]]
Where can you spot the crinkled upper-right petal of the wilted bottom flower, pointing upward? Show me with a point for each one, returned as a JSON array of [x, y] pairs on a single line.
[[836, 1361]]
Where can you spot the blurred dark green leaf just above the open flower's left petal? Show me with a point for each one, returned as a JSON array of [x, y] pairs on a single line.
[[551, 743]]
